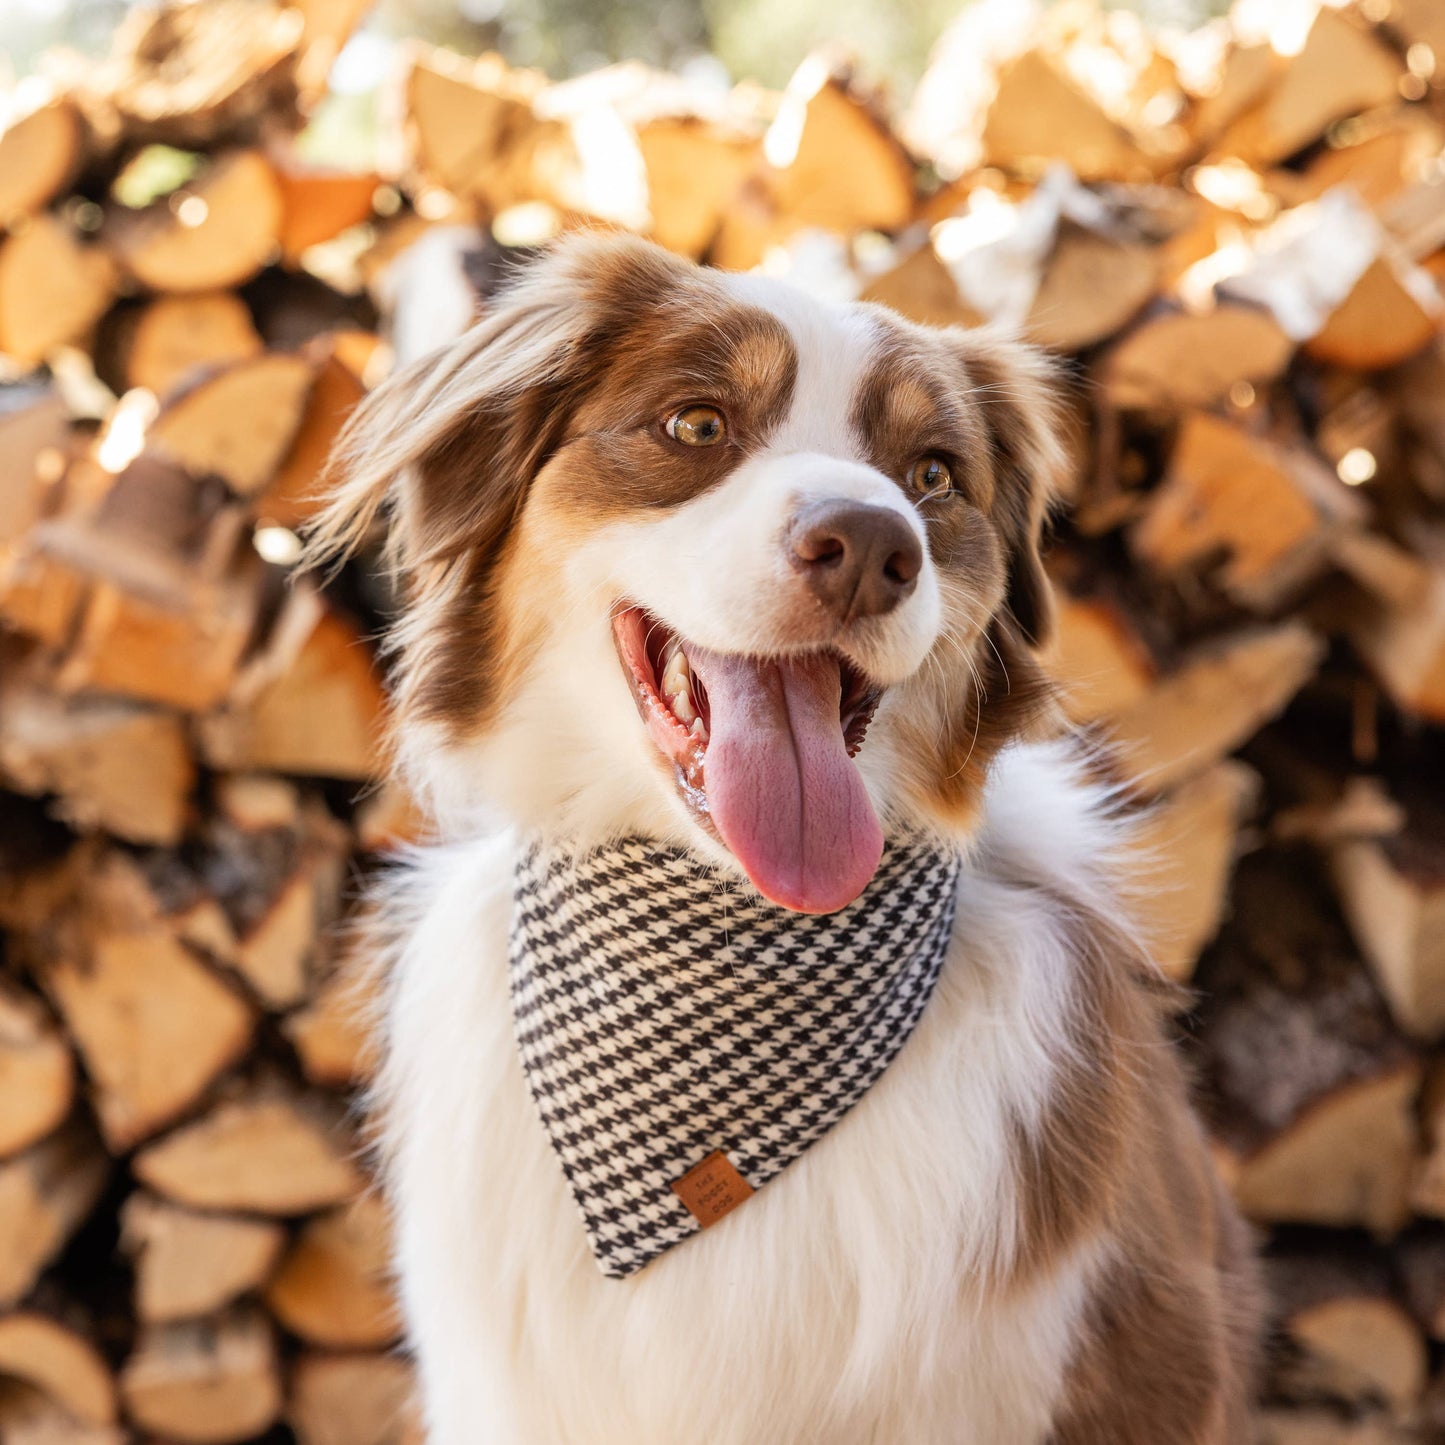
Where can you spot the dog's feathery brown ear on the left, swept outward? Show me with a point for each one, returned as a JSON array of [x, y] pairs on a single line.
[[447, 447]]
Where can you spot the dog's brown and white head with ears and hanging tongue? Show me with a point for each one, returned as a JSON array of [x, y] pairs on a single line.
[[693, 554]]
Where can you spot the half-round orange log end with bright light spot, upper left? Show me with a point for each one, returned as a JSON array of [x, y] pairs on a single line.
[[216, 233]]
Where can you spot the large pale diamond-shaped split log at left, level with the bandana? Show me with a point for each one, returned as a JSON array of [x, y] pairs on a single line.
[[154, 1025]]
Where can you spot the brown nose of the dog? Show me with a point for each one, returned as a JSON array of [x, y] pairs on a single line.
[[859, 560]]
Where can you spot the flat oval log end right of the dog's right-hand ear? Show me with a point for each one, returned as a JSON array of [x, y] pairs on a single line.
[[1191, 361]]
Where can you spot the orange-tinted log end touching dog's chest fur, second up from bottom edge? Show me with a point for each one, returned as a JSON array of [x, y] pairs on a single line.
[[332, 1288]]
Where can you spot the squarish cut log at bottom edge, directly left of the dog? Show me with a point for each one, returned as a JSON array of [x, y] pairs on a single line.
[[353, 1399]]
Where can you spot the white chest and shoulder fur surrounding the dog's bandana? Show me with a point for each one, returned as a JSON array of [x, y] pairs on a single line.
[[843, 1304]]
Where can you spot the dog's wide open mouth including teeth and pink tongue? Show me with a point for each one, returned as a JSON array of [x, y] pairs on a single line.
[[762, 752]]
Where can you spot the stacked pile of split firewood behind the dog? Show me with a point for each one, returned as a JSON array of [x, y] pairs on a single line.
[[1233, 241]]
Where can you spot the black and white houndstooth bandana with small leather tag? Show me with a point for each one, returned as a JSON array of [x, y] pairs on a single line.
[[686, 1040]]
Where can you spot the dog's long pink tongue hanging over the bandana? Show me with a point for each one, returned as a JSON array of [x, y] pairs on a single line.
[[782, 790]]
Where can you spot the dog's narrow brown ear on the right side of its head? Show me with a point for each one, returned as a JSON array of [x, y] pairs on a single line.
[[1017, 392]]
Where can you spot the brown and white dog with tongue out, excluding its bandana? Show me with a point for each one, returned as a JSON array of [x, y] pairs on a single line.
[[1015, 1236]]
